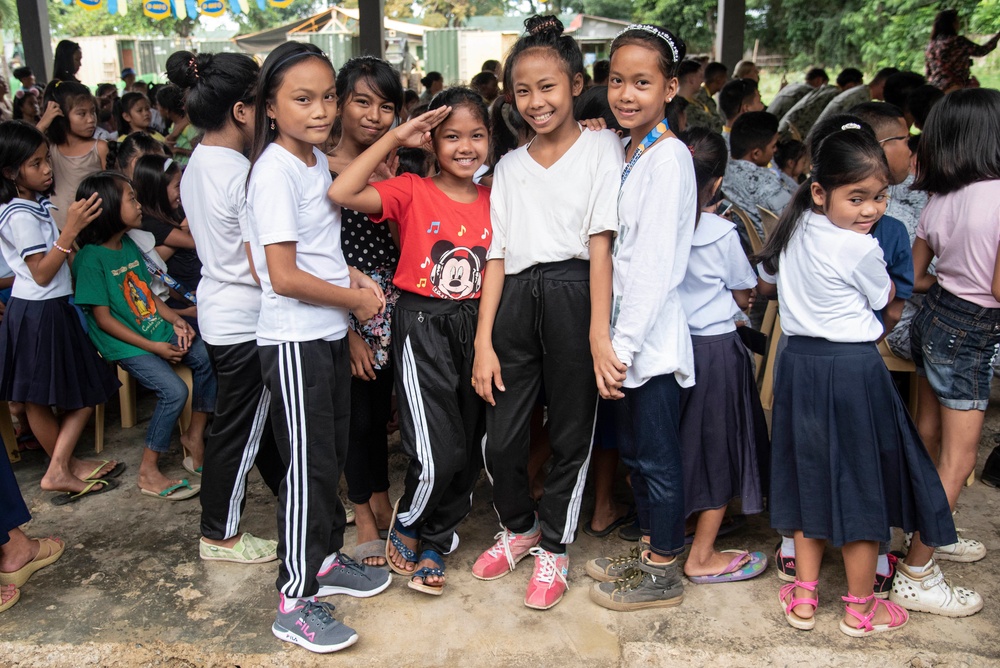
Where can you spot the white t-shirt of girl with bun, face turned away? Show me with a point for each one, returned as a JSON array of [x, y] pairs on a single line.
[[213, 190]]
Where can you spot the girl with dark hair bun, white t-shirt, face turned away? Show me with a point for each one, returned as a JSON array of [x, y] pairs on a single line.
[[219, 100]]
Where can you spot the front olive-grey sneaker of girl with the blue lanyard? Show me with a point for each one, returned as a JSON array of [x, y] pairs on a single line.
[[648, 585]]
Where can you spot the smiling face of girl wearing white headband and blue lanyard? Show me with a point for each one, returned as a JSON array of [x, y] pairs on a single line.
[[637, 89]]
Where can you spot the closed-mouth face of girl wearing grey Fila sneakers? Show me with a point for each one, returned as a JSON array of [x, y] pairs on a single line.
[[304, 106]]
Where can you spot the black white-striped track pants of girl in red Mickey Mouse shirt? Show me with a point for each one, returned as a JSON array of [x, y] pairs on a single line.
[[440, 416]]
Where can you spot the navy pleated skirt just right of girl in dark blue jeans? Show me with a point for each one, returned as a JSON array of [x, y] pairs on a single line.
[[724, 444]]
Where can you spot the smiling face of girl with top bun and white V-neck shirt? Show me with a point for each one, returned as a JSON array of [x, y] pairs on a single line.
[[543, 90]]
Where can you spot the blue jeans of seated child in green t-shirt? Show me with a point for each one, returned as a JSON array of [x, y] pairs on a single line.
[[157, 374]]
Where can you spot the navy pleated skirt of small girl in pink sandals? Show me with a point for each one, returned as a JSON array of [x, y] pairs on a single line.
[[847, 462]]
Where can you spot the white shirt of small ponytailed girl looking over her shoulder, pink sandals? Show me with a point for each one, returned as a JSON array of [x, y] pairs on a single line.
[[830, 283]]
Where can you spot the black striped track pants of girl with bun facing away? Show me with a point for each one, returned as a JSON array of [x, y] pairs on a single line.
[[239, 438]]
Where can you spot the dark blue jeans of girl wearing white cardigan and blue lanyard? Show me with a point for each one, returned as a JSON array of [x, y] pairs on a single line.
[[648, 421]]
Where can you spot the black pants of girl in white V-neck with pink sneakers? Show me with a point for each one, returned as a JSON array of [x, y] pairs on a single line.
[[542, 332]]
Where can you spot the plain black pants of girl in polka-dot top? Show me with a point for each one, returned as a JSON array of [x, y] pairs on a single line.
[[367, 469]]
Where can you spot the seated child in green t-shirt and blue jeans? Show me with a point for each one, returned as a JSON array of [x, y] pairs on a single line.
[[131, 326]]
